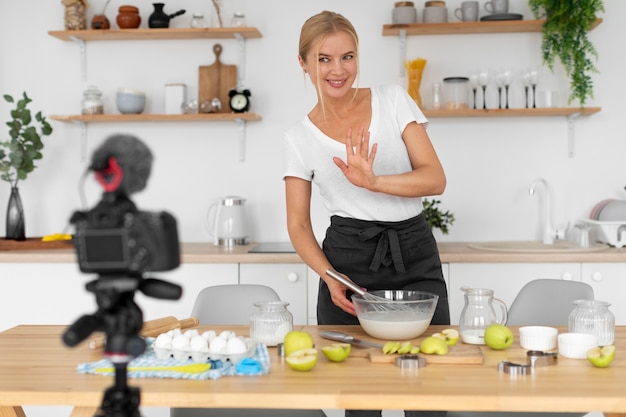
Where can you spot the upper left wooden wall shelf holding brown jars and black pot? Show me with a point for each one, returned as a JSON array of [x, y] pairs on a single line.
[[156, 34]]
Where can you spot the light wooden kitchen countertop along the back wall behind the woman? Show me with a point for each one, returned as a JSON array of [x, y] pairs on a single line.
[[450, 252]]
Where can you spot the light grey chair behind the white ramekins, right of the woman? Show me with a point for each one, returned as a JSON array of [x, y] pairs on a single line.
[[541, 302]]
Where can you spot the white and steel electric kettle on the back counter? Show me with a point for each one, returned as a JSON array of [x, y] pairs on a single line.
[[226, 221]]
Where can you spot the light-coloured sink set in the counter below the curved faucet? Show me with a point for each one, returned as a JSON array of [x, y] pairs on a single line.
[[532, 246]]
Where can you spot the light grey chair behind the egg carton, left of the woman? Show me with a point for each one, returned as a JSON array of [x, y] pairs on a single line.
[[233, 305]]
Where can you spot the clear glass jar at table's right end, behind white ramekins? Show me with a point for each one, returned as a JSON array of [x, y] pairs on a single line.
[[593, 317]]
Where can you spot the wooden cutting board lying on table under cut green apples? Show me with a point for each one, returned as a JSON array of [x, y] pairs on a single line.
[[457, 354]]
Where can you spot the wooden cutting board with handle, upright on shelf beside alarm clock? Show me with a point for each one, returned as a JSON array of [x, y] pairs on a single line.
[[216, 80]]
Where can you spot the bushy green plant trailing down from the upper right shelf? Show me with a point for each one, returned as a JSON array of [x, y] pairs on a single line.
[[565, 37]]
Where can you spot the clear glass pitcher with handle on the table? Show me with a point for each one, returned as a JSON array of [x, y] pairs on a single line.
[[478, 313]]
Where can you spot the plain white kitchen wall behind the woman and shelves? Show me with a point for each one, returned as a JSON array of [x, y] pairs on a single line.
[[490, 162]]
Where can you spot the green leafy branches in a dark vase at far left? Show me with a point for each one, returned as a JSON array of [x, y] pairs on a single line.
[[17, 158]]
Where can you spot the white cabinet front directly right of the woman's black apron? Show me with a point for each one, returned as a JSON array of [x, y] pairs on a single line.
[[506, 279]]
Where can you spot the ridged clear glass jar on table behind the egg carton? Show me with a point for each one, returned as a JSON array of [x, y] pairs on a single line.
[[270, 322]]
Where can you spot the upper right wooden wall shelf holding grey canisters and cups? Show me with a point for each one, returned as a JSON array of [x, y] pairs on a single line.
[[458, 28]]
